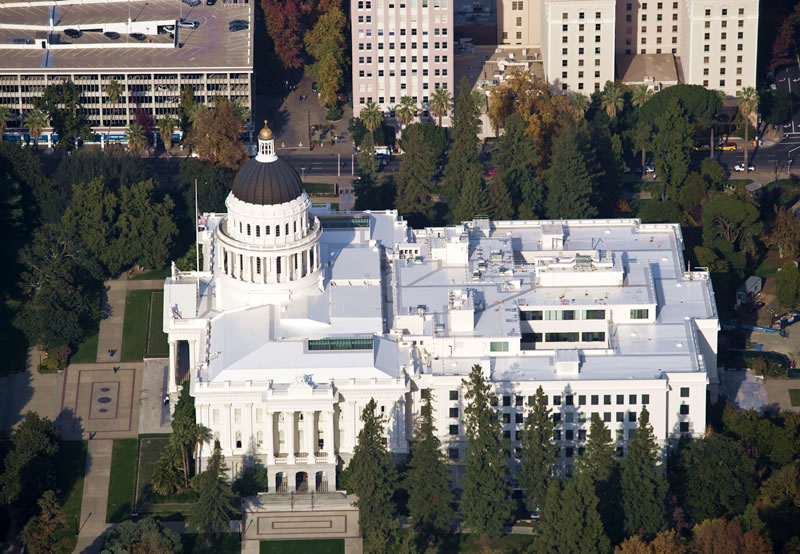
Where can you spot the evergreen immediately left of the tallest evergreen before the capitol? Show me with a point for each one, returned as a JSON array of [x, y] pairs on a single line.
[[427, 481]]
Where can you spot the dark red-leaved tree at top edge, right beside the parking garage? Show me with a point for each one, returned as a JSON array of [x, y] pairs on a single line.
[[284, 19]]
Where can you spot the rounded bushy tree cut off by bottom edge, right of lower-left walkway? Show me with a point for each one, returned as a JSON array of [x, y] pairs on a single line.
[[145, 535]]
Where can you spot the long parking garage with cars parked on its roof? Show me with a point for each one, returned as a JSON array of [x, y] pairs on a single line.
[[139, 44]]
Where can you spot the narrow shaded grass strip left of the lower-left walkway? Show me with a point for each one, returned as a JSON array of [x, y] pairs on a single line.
[[69, 484]]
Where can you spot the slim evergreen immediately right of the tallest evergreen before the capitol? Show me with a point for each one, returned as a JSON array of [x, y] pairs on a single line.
[[537, 451]]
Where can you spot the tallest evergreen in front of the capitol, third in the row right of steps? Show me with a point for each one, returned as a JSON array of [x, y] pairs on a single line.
[[485, 501]]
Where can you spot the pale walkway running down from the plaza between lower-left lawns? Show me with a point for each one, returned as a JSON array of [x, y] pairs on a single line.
[[95, 497]]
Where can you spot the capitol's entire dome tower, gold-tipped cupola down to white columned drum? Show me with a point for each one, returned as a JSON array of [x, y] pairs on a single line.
[[269, 236]]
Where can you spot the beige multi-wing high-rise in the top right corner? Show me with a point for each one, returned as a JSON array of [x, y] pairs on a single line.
[[712, 43]]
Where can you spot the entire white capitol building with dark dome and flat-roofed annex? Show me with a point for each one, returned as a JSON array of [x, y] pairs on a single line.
[[301, 315]]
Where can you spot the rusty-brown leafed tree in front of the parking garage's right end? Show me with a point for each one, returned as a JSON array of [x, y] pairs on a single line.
[[216, 134]]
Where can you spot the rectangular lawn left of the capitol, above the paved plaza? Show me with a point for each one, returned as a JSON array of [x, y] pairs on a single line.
[[142, 313]]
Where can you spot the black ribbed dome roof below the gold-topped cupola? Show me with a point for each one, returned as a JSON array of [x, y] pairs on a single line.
[[267, 183]]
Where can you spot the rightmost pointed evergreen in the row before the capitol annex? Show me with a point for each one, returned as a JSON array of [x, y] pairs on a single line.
[[644, 484]]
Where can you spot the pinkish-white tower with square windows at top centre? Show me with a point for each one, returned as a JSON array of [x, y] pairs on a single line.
[[400, 48]]
